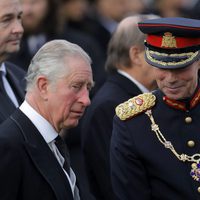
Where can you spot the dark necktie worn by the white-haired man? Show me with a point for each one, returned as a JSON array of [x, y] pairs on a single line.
[[62, 147]]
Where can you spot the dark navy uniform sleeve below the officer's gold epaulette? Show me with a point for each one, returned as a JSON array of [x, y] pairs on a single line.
[[128, 174]]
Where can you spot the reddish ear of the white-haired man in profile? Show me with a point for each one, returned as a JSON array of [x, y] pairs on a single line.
[[43, 87]]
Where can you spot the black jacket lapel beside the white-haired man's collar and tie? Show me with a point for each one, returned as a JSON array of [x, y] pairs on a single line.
[[42, 157]]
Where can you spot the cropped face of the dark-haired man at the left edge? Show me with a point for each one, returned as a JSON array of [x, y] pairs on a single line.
[[11, 29]]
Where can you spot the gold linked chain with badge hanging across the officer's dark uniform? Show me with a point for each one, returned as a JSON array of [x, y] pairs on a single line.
[[195, 159]]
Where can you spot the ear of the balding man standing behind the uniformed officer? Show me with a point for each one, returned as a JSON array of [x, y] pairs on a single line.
[[135, 54]]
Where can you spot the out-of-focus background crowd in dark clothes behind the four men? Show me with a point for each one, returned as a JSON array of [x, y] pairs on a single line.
[[90, 24]]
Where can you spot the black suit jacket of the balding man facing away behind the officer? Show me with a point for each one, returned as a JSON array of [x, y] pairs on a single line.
[[96, 132]]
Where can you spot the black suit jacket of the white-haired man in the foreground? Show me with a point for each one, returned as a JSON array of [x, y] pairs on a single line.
[[29, 169]]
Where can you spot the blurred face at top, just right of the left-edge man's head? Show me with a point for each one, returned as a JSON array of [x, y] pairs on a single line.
[[34, 11]]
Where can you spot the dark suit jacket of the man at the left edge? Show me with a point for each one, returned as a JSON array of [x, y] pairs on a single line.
[[15, 77]]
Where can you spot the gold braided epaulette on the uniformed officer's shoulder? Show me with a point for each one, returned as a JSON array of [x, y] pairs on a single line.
[[135, 106]]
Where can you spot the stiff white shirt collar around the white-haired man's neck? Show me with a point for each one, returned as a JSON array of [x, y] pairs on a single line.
[[44, 127]]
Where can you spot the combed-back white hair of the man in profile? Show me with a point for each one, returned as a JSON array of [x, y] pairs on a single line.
[[49, 61]]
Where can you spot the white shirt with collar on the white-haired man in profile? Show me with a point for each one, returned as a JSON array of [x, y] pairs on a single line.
[[49, 134]]
